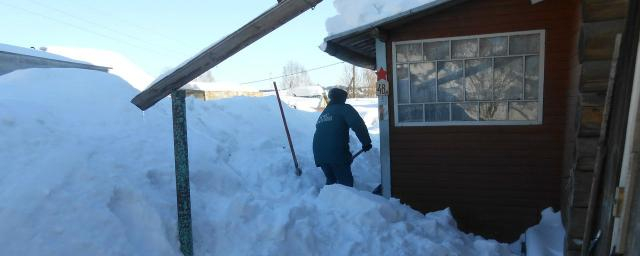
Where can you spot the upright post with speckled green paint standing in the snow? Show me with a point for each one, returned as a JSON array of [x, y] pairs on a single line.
[[181, 154]]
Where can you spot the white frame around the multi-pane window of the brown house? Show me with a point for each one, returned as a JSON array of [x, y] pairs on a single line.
[[540, 100]]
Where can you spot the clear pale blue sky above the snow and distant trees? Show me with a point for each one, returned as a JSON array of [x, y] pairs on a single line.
[[158, 35]]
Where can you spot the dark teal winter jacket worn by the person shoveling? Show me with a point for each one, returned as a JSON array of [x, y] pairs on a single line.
[[331, 139]]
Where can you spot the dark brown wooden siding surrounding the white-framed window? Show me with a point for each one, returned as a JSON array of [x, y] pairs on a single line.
[[495, 179]]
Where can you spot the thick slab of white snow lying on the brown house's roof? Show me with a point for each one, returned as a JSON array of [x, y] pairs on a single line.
[[355, 13]]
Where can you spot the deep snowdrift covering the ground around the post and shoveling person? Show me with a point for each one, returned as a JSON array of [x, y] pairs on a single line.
[[86, 173]]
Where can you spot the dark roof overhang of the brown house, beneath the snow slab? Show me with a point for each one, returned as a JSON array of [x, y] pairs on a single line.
[[357, 46]]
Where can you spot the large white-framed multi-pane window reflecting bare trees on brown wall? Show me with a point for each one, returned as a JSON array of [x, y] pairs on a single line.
[[474, 80]]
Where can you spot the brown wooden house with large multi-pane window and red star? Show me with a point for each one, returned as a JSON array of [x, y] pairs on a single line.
[[497, 109]]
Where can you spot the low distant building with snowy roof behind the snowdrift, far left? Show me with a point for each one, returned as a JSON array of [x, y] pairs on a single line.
[[15, 58]]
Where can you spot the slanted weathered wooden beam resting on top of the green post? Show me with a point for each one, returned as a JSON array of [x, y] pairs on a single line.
[[273, 18]]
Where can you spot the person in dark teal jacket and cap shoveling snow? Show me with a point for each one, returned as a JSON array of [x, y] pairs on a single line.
[[331, 139]]
